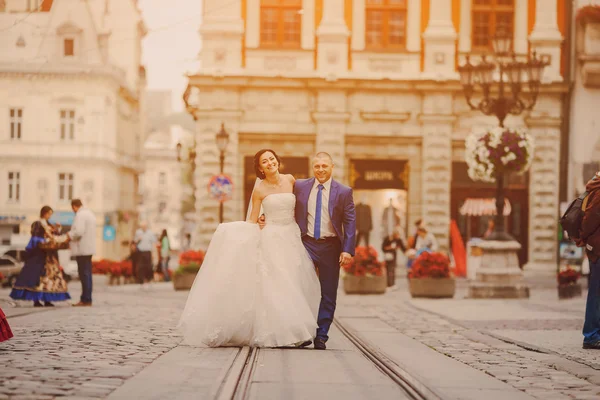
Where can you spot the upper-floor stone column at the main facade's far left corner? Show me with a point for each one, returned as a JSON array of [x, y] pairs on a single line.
[[222, 31]]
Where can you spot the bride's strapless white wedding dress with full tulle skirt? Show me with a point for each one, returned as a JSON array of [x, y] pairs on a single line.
[[255, 287]]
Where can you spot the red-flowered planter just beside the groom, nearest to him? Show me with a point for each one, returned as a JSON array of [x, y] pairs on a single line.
[[364, 274]]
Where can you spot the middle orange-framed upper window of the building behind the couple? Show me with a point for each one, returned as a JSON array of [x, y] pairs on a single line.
[[385, 26]]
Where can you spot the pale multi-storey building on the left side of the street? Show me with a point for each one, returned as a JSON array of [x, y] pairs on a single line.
[[71, 120]]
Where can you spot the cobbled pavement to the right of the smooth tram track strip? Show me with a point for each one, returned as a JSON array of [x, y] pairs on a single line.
[[468, 330]]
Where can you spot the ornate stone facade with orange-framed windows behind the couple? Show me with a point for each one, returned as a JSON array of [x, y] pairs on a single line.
[[373, 83]]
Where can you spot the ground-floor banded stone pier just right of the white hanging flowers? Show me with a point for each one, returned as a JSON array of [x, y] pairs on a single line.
[[543, 195]]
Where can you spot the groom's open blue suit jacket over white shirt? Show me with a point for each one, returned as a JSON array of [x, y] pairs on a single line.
[[341, 211]]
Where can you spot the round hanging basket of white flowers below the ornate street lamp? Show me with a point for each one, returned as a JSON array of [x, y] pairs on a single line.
[[498, 151]]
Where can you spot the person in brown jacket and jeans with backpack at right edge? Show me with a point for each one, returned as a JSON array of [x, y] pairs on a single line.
[[589, 237]]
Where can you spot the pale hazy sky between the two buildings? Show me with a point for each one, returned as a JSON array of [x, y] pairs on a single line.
[[170, 49]]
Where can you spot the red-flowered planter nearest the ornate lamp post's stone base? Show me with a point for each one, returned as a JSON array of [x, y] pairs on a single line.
[[430, 277]]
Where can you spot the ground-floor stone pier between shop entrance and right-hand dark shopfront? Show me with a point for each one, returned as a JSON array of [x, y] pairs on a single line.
[[437, 122]]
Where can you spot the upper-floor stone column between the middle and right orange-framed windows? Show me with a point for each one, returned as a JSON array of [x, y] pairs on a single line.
[[440, 38]]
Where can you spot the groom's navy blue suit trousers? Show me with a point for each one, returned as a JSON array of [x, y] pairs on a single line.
[[325, 253]]
